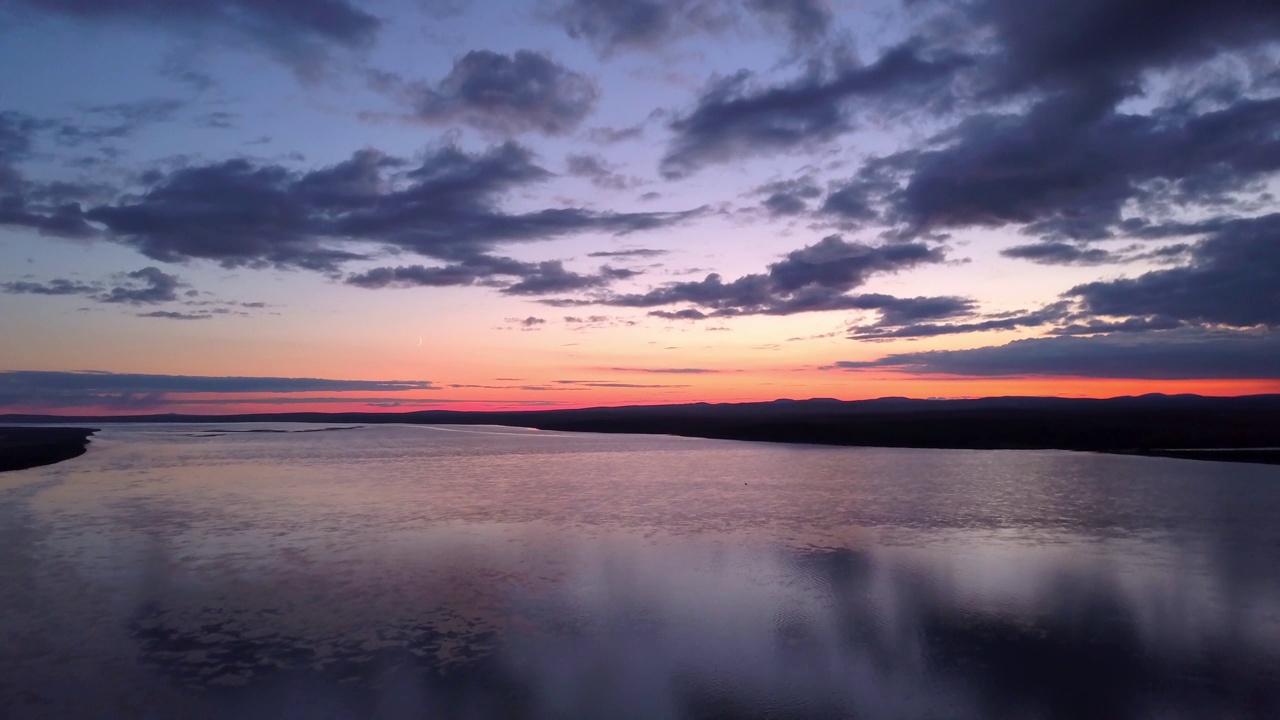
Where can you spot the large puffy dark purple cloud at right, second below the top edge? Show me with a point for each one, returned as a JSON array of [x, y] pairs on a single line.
[[1066, 171]]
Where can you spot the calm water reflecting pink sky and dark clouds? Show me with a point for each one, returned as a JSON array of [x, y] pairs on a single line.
[[419, 572]]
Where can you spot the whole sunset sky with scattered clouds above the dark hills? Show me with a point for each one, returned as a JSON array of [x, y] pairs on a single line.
[[280, 206]]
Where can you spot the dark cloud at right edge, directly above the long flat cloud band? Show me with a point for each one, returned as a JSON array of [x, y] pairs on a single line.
[[1233, 280]]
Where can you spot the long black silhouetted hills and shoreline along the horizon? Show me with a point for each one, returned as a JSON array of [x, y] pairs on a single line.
[[1126, 425]]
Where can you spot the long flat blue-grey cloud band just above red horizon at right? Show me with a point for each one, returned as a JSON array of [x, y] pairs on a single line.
[[1156, 356]]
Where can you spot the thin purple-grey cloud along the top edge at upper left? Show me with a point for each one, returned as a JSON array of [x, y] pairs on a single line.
[[300, 33]]
